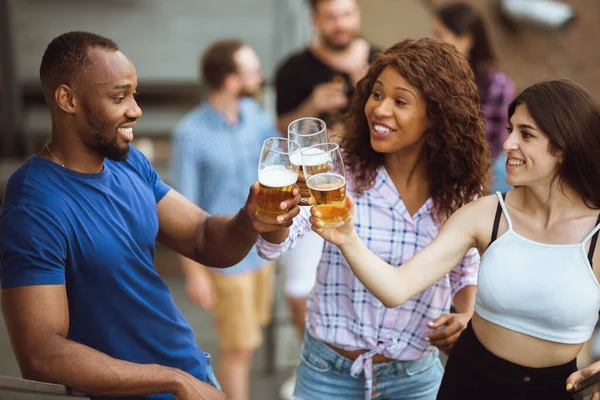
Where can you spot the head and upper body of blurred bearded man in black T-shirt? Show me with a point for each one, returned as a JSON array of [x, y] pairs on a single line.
[[319, 80]]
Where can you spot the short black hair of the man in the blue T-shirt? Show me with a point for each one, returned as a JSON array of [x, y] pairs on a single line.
[[67, 55]]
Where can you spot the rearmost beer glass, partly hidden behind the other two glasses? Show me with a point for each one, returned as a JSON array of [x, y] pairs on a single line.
[[307, 132]]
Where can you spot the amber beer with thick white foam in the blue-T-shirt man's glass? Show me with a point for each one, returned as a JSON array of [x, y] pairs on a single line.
[[276, 185]]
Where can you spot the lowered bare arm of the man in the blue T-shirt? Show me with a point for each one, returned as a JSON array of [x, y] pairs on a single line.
[[37, 319]]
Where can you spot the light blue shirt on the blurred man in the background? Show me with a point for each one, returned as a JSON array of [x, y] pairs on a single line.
[[215, 163]]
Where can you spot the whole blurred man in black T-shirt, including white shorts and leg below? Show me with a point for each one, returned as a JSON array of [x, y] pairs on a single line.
[[318, 81]]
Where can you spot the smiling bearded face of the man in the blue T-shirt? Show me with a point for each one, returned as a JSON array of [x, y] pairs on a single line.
[[107, 109]]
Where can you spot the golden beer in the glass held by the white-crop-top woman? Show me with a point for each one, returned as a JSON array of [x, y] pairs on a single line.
[[329, 192]]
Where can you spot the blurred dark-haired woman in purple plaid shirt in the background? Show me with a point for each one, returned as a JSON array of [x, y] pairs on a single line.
[[462, 26]]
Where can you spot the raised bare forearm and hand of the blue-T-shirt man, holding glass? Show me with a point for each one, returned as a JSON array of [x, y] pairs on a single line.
[[216, 241]]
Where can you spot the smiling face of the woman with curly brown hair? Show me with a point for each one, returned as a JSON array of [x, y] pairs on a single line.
[[397, 114]]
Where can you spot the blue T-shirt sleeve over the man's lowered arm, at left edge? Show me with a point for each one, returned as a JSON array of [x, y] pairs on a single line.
[[33, 248]]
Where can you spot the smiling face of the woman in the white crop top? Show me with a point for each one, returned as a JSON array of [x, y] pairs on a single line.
[[528, 148]]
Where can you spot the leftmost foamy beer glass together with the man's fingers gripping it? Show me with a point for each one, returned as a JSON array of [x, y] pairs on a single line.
[[276, 197]]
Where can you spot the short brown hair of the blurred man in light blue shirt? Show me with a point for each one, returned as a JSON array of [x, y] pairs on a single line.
[[218, 62]]
